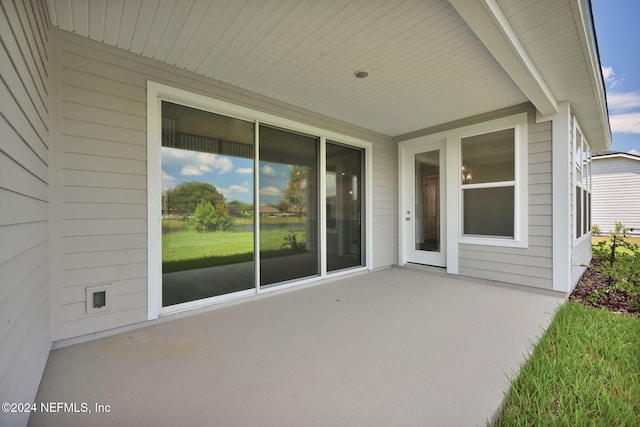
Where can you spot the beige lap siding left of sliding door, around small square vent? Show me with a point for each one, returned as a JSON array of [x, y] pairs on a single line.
[[104, 199]]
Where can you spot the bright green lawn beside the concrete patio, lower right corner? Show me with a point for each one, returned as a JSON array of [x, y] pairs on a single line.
[[585, 371]]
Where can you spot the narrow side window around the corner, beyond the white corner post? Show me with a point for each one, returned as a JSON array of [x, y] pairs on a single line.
[[582, 184]]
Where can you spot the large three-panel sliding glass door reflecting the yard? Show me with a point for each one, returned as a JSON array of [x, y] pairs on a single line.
[[241, 205]]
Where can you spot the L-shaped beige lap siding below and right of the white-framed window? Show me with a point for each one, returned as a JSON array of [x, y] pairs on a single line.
[[530, 266]]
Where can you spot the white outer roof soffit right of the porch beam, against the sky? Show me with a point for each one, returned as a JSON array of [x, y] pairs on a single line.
[[550, 32]]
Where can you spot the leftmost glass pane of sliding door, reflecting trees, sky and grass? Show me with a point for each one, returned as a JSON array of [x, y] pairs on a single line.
[[207, 204]]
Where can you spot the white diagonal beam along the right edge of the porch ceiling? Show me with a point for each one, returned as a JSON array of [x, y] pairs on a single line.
[[488, 22]]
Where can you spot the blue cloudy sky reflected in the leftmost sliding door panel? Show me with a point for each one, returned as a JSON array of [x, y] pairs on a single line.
[[232, 176]]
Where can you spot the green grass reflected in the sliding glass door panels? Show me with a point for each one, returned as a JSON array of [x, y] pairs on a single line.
[[186, 249]]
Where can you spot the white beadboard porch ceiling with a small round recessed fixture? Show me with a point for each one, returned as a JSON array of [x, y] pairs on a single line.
[[426, 66]]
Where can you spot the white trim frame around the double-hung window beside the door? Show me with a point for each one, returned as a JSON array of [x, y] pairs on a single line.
[[518, 122]]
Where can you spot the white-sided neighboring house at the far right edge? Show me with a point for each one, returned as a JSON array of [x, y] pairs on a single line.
[[615, 182]]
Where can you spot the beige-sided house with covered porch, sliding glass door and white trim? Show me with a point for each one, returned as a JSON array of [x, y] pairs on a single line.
[[442, 132]]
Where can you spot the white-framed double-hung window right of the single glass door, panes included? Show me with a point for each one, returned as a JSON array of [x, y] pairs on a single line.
[[493, 184]]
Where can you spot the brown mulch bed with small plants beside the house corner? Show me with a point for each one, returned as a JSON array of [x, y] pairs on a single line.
[[615, 300]]
